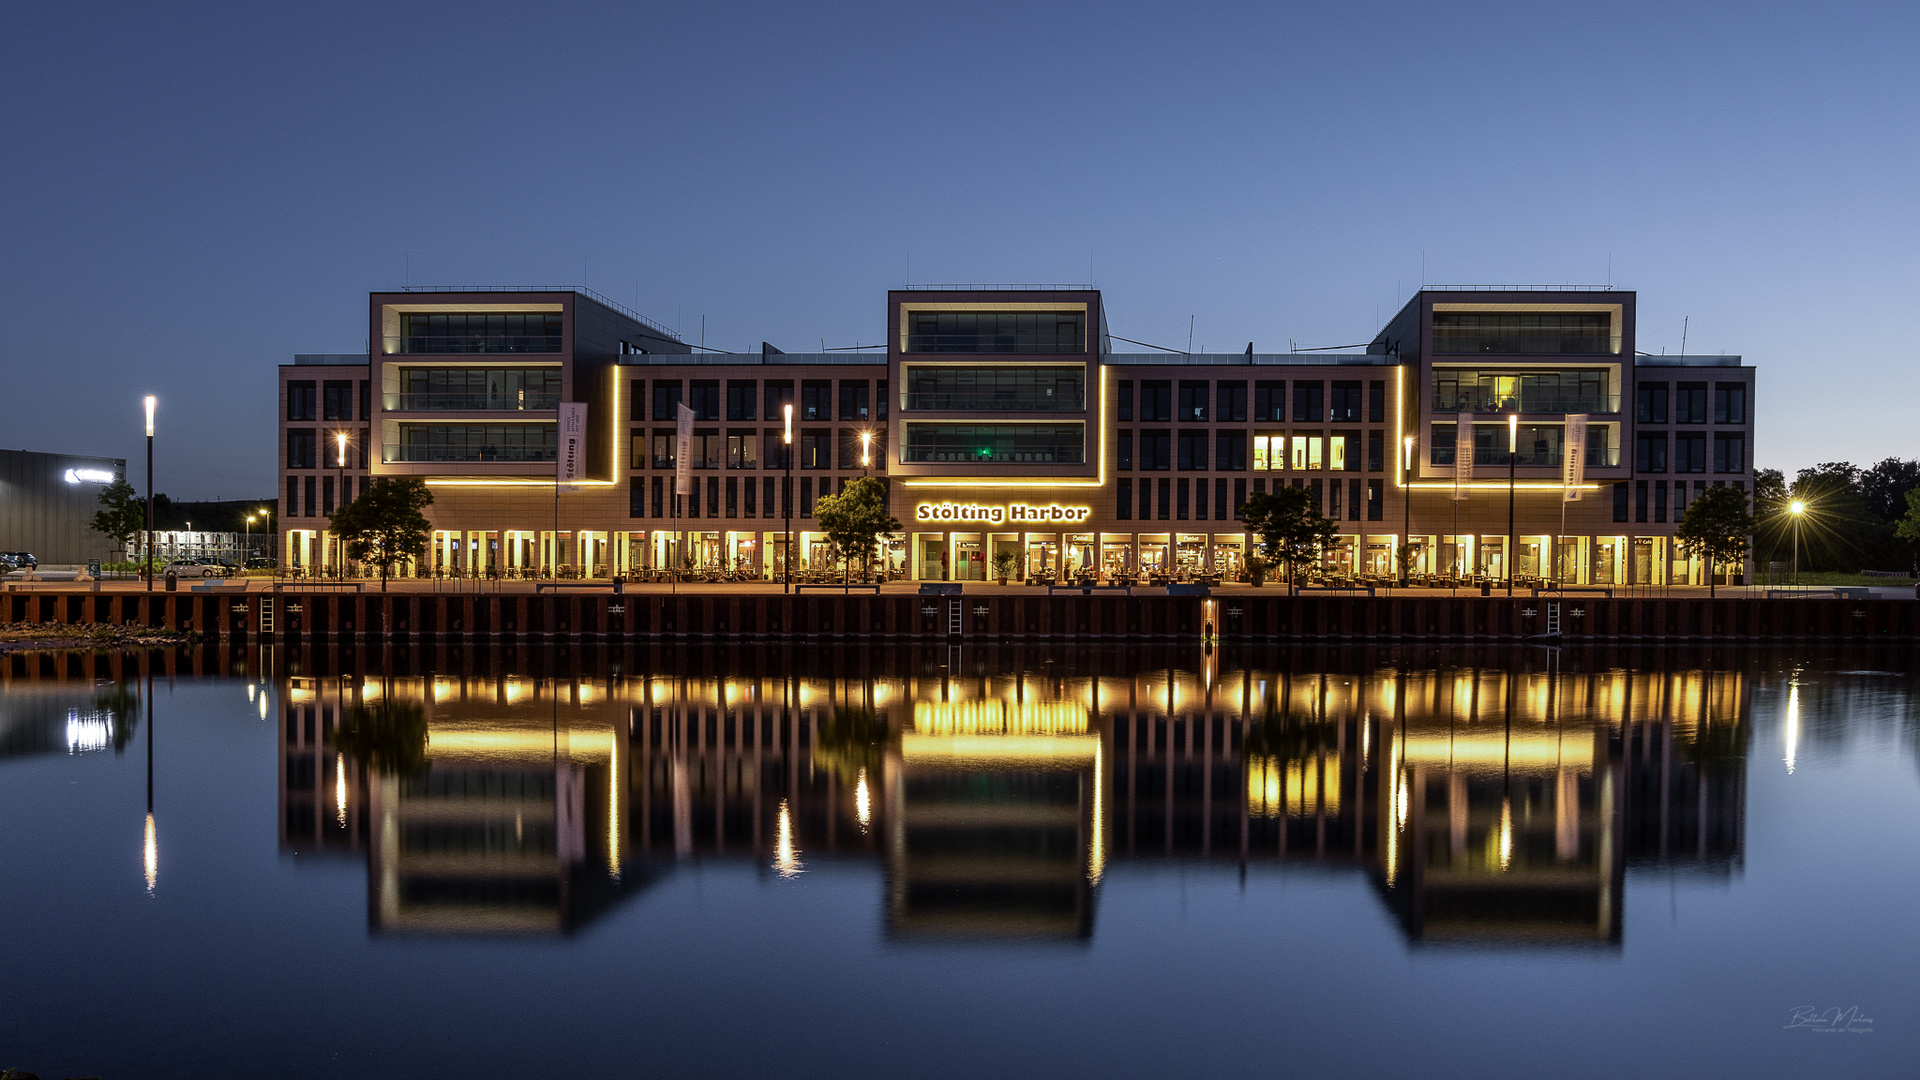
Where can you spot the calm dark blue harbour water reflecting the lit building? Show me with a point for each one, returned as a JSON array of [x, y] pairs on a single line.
[[959, 864]]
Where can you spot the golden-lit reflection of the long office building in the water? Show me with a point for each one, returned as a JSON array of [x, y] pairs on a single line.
[[1485, 804]]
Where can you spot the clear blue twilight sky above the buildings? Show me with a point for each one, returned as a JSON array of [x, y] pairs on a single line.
[[197, 193]]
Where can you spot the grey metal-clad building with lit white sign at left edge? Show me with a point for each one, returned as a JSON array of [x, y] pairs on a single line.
[[45, 514]]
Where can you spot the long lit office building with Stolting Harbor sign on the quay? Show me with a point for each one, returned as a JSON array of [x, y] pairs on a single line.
[[1005, 426]]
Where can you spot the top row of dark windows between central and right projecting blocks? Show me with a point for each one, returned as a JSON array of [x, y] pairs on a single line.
[[1199, 401]]
